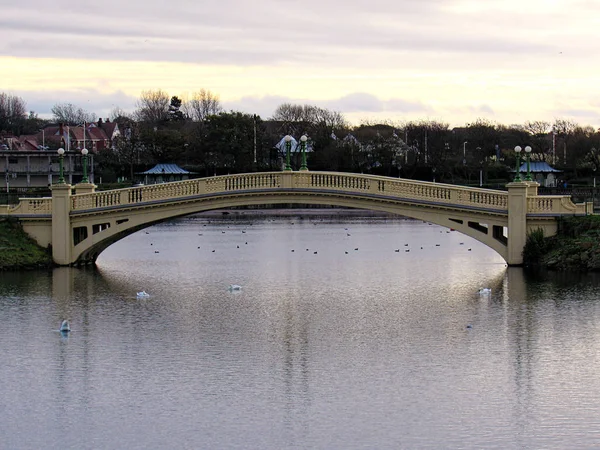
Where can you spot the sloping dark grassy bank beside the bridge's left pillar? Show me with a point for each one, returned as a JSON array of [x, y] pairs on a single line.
[[18, 250]]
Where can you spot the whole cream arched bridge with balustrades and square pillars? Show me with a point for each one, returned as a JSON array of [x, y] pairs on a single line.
[[79, 226]]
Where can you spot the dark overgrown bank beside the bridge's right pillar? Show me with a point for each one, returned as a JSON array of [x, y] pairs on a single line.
[[576, 246]]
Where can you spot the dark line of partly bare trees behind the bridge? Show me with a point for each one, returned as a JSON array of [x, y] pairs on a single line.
[[198, 134]]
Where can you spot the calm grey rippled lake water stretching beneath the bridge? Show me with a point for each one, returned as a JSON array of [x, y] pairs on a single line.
[[348, 333]]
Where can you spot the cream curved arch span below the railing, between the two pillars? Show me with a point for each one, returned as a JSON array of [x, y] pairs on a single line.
[[95, 230]]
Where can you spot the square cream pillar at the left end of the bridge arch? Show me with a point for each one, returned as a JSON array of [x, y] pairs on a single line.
[[61, 224]]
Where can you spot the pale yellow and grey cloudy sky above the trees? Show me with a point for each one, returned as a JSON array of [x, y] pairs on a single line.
[[508, 61]]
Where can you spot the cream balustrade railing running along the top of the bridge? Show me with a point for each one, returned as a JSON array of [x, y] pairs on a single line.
[[432, 193]]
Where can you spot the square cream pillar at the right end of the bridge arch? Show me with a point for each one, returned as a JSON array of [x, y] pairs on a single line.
[[517, 221]]
